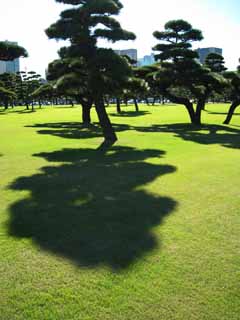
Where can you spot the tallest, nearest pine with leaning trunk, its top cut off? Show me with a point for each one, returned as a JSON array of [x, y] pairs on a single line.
[[83, 24]]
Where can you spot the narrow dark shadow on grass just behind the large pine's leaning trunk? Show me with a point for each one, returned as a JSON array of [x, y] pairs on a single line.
[[75, 130]]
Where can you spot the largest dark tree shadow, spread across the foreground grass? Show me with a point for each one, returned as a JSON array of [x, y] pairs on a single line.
[[93, 209]]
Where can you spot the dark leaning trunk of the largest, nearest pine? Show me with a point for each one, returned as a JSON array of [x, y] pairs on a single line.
[[108, 132]]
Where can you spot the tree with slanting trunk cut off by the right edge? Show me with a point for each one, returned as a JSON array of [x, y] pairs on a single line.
[[234, 88]]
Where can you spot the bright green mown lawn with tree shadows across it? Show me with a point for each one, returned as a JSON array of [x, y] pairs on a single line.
[[148, 231]]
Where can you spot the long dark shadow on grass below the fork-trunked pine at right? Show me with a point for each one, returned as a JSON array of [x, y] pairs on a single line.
[[204, 134]]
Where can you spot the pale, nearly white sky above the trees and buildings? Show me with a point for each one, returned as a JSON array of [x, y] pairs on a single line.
[[25, 21]]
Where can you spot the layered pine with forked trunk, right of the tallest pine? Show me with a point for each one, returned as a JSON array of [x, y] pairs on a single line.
[[180, 68]]
